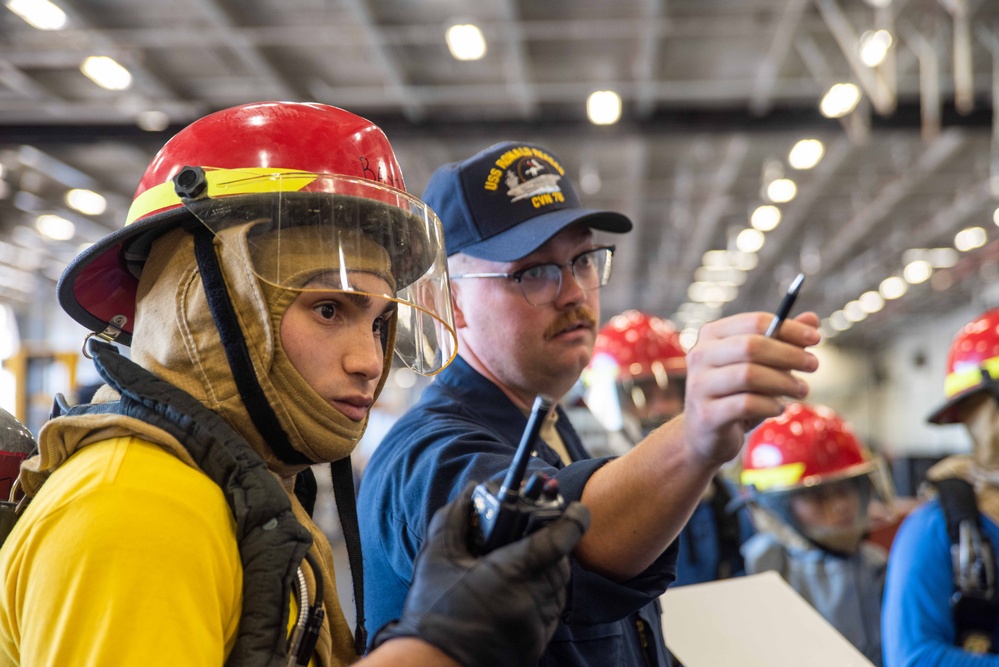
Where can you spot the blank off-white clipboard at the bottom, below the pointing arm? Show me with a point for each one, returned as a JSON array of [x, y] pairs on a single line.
[[753, 621]]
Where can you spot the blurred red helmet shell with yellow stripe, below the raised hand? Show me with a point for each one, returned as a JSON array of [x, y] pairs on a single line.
[[804, 446]]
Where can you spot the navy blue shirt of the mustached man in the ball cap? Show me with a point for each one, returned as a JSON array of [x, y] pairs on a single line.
[[464, 428]]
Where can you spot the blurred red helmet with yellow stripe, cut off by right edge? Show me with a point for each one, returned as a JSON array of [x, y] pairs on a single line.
[[973, 362]]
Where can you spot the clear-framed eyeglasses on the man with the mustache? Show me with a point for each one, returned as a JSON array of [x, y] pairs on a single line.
[[542, 283]]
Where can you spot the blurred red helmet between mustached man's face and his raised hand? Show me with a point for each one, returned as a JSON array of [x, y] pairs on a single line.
[[635, 342]]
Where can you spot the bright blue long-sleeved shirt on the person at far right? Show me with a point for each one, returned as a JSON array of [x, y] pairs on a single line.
[[916, 623]]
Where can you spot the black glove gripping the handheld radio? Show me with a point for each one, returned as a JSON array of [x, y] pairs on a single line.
[[500, 609]]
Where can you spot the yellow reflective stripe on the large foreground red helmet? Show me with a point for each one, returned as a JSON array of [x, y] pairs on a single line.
[[222, 182]]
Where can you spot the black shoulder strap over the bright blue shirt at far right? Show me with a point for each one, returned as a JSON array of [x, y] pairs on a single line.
[[975, 604]]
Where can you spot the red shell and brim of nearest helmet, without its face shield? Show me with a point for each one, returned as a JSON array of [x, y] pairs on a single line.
[[99, 287]]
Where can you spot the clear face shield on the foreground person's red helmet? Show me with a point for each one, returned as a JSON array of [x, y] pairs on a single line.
[[306, 231]]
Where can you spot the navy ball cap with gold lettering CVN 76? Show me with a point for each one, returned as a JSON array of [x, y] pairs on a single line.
[[507, 201]]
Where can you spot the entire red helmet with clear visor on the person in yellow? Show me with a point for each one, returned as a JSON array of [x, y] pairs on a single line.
[[280, 162]]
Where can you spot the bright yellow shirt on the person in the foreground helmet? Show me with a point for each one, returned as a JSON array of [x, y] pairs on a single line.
[[127, 556]]
